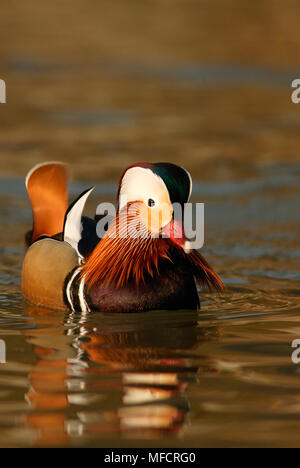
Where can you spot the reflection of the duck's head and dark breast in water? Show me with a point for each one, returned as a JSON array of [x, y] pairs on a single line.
[[153, 375]]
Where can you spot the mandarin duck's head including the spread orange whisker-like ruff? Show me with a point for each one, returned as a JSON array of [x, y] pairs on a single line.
[[146, 197]]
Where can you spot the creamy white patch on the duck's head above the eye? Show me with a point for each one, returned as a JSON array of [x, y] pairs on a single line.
[[141, 184]]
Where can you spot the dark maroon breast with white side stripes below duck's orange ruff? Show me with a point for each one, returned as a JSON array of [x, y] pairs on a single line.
[[174, 288]]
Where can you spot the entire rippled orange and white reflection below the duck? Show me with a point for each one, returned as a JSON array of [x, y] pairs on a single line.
[[107, 377]]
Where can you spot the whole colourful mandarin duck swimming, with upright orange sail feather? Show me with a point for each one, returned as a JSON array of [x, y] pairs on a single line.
[[68, 267]]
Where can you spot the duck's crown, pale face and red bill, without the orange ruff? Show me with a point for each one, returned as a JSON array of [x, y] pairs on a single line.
[[152, 190]]
